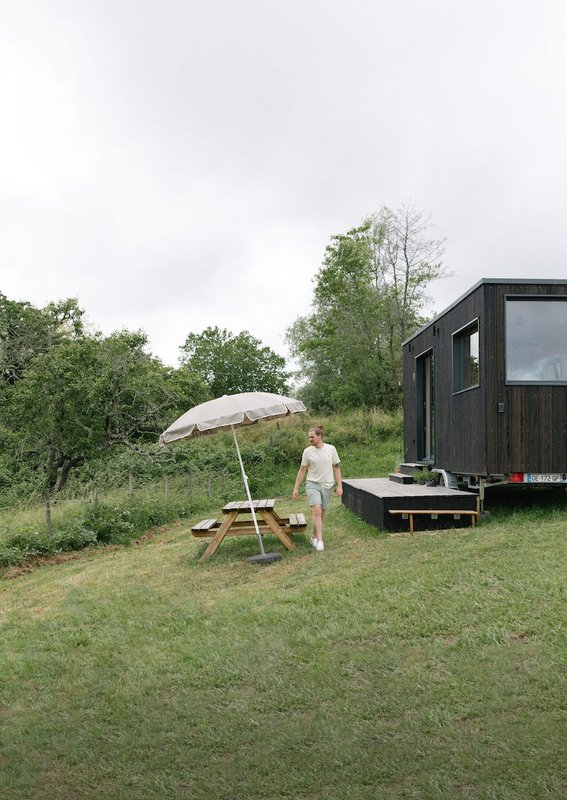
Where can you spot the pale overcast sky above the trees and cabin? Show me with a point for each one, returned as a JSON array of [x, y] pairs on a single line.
[[177, 165]]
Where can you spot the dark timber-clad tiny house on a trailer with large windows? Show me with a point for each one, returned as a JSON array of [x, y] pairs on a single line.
[[485, 386]]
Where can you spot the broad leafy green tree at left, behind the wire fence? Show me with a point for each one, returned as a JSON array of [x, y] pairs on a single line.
[[85, 395]]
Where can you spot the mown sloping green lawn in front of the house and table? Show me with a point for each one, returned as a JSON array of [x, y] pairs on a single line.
[[432, 666]]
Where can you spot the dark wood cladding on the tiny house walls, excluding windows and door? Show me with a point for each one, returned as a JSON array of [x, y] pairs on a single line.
[[495, 428]]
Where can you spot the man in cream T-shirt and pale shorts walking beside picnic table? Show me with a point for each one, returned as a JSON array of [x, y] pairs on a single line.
[[321, 463]]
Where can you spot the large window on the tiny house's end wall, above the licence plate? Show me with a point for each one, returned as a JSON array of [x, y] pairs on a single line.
[[536, 340]]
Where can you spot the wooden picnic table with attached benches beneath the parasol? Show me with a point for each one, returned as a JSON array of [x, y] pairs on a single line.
[[238, 521]]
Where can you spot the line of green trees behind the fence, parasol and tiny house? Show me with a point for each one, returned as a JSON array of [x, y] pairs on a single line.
[[75, 402]]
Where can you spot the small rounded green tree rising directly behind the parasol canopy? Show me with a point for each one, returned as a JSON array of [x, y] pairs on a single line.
[[229, 364]]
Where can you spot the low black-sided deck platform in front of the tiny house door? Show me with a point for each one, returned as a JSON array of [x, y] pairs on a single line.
[[435, 507]]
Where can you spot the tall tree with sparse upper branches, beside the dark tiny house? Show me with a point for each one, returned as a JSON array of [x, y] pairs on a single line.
[[369, 295]]
